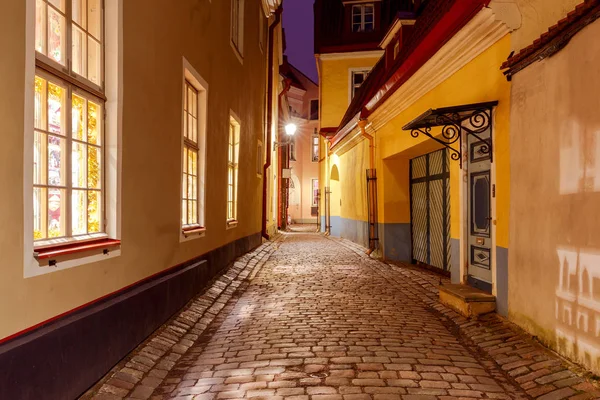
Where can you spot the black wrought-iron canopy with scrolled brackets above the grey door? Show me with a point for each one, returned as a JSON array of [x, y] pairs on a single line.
[[452, 120]]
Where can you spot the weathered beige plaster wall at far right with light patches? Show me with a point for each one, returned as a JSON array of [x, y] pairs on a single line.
[[554, 258]]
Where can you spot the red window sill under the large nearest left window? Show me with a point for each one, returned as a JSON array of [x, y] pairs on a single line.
[[63, 251]]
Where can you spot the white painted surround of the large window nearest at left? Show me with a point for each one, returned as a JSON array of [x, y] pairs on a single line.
[[112, 138]]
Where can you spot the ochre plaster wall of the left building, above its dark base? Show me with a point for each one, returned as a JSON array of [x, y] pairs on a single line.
[[156, 37]]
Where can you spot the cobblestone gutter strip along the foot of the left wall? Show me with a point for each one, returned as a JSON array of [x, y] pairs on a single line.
[[146, 367]]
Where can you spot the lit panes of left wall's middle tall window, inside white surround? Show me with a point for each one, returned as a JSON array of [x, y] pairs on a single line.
[[189, 205]]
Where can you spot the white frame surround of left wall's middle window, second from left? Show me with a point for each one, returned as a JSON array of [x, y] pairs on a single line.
[[190, 74]]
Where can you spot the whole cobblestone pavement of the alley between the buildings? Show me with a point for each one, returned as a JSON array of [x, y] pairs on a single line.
[[322, 321]]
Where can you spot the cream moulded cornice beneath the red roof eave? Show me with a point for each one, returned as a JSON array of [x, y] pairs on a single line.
[[477, 36]]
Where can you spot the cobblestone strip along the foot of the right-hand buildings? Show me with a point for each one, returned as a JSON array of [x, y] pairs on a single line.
[[523, 362]]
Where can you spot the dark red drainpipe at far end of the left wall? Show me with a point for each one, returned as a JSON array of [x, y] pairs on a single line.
[[267, 165]]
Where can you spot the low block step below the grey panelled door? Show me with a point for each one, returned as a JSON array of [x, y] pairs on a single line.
[[467, 300]]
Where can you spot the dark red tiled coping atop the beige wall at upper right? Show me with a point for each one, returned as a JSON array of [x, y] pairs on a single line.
[[555, 38]]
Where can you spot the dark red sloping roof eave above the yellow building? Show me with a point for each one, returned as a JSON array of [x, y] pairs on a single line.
[[438, 23]]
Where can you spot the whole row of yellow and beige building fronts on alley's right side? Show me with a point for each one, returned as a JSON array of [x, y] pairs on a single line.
[[491, 164]]
